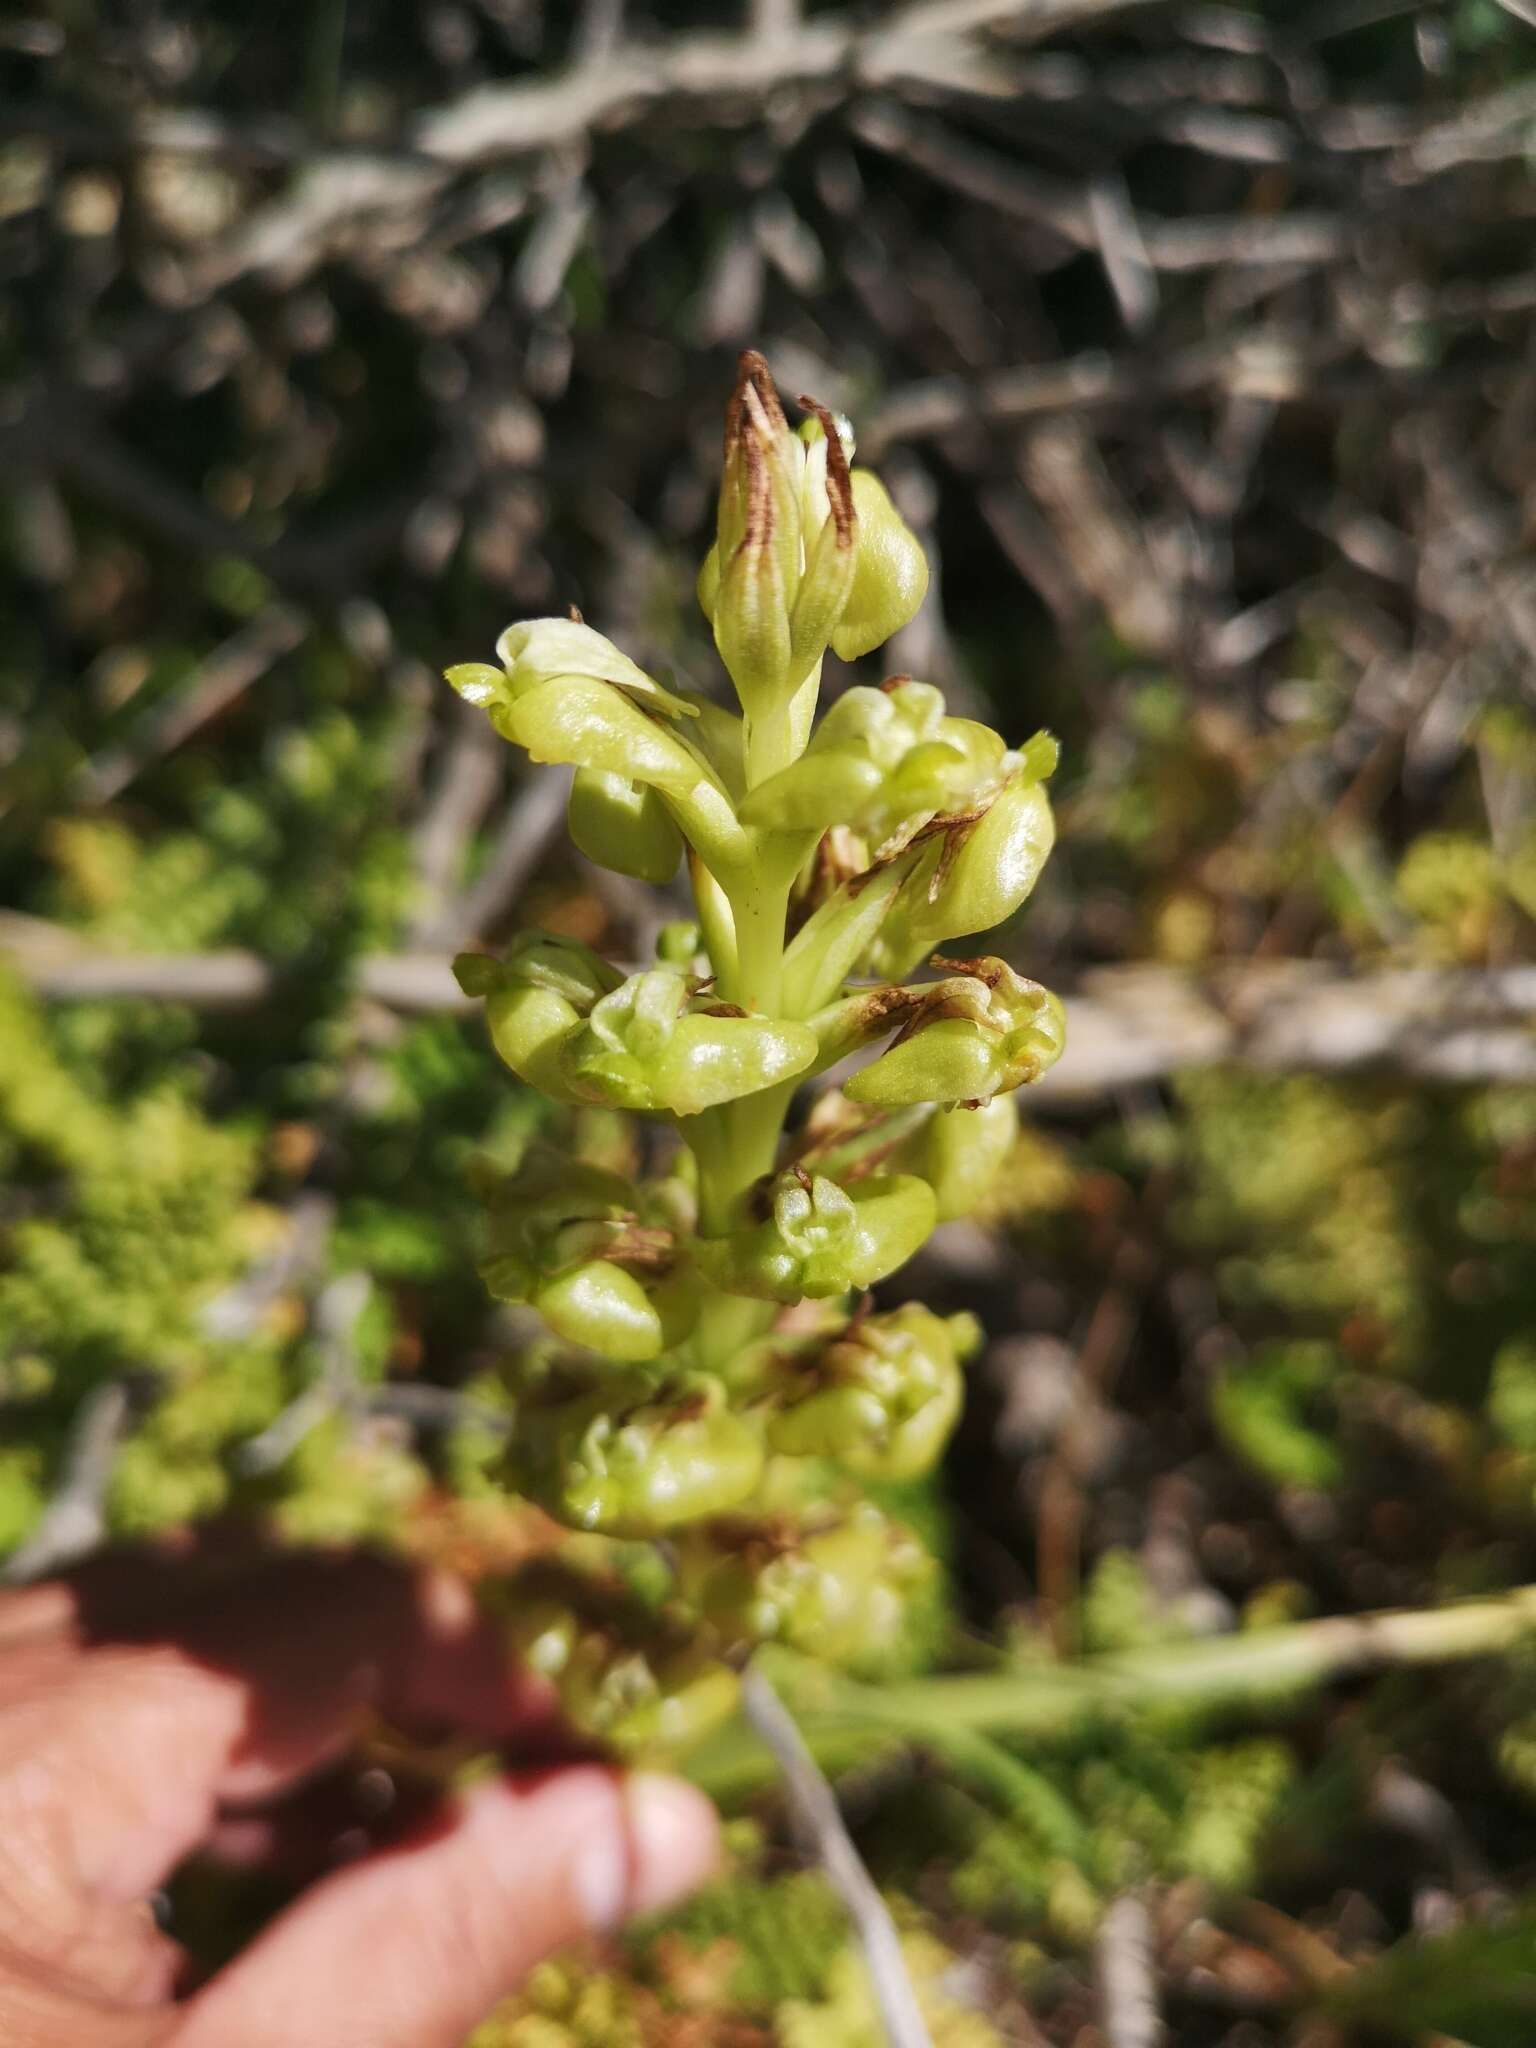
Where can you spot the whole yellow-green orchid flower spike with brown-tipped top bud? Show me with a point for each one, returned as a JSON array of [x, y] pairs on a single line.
[[716, 1371]]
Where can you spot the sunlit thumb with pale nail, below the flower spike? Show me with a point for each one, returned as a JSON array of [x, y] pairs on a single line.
[[417, 1945]]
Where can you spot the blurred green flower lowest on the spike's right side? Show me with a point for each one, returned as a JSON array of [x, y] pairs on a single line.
[[839, 1590]]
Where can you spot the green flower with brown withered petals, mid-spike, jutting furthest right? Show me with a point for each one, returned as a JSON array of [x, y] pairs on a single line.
[[966, 1039]]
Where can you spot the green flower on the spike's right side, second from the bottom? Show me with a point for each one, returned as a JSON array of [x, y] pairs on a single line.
[[882, 1398]]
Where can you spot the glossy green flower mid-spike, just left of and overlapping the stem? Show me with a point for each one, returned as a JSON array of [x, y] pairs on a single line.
[[654, 1048]]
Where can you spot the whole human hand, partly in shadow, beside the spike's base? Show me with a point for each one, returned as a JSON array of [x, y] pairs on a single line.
[[151, 1711]]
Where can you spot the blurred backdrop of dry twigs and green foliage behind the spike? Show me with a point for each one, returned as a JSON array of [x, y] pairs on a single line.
[[1199, 343]]
